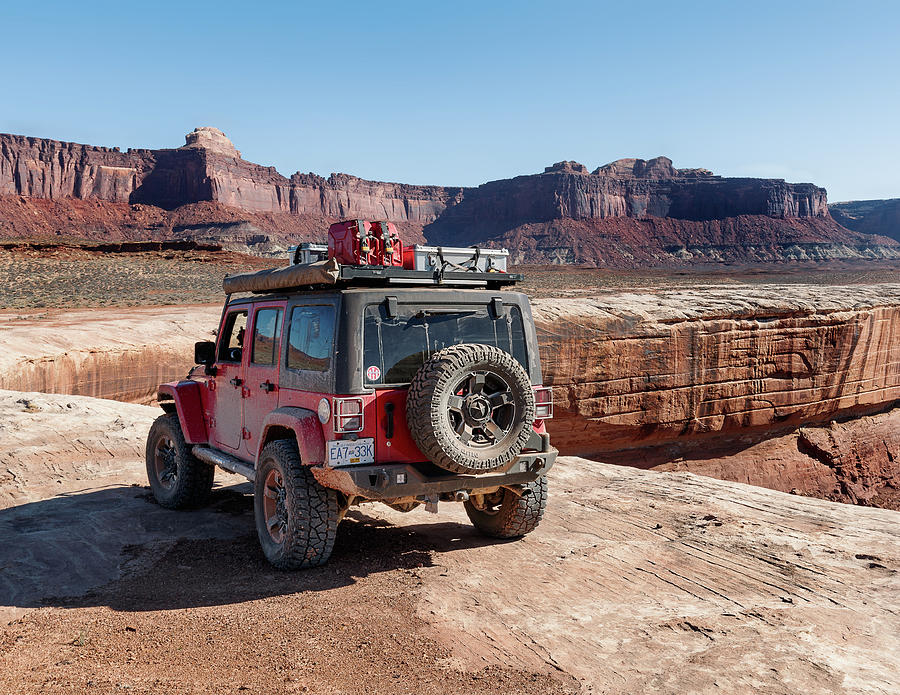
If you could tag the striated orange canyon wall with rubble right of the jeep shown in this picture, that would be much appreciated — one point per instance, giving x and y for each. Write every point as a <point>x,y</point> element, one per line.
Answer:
<point>699,379</point>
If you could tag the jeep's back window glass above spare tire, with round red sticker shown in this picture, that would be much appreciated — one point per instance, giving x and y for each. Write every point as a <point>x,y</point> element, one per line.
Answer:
<point>395,348</point>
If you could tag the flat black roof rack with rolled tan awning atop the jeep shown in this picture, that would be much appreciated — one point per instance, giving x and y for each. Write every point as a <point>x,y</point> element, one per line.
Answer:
<point>330,274</point>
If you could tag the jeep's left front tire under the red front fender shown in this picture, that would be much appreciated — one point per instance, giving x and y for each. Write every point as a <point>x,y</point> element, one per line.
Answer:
<point>177,478</point>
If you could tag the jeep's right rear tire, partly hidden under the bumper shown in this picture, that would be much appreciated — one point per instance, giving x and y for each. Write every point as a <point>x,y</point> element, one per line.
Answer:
<point>506,515</point>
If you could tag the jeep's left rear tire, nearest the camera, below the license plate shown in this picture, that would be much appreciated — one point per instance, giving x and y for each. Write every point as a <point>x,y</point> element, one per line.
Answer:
<point>296,516</point>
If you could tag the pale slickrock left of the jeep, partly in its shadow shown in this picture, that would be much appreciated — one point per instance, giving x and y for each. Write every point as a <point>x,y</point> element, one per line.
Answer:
<point>67,506</point>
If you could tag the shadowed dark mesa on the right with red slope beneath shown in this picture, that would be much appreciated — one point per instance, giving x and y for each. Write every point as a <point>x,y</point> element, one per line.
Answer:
<point>636,213</point>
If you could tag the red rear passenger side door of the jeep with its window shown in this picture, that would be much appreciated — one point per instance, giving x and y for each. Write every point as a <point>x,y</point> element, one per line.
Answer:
<point>261,372</point>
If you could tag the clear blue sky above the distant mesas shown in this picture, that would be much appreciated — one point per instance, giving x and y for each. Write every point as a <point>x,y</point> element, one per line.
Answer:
<point>460,93</point>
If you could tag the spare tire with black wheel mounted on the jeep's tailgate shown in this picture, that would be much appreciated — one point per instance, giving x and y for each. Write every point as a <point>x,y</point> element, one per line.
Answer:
<point>470,408</point>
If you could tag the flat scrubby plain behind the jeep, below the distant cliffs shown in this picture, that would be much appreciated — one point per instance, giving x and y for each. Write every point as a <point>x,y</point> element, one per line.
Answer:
<point>65,276</point>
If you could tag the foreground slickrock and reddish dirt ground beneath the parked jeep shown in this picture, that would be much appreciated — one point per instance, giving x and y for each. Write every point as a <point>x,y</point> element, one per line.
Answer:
<point>635,582</point>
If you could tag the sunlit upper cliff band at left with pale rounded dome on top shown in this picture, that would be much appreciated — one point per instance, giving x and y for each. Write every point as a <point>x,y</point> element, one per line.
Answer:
<point>207,168</point>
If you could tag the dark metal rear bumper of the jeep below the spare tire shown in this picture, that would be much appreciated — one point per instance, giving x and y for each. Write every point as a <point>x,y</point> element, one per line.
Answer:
<point>382,482</point>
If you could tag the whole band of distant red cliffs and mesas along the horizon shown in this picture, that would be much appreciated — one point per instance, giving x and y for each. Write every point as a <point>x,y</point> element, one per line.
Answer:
<point>628,212</point>
